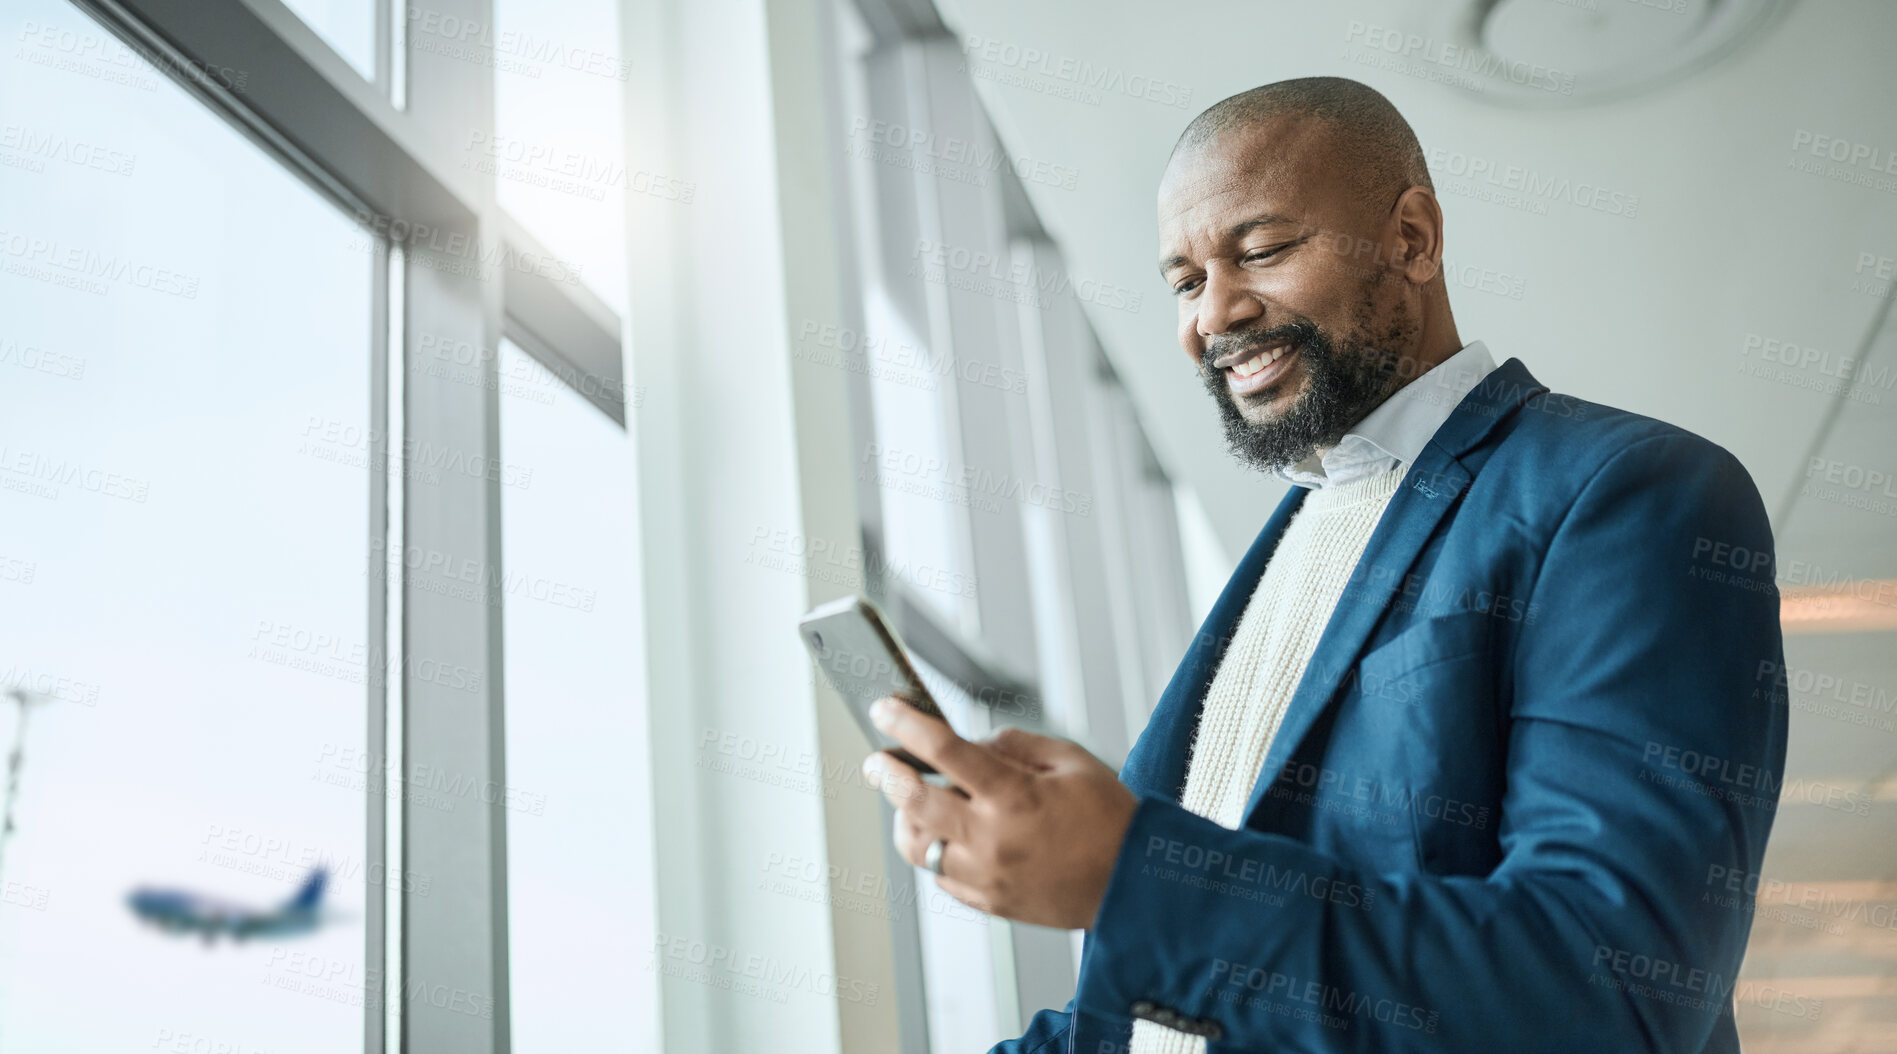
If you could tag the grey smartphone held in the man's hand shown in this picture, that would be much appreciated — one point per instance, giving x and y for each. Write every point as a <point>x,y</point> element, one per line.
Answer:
<point>864,661</point>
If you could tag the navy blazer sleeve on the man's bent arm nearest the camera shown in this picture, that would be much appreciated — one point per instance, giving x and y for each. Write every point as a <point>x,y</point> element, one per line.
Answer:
<point>1646,750</point>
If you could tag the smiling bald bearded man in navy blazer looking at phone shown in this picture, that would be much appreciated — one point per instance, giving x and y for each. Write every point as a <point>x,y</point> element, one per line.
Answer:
<point>1477,719</point>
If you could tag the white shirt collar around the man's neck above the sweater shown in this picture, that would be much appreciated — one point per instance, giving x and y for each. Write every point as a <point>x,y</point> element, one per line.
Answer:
<point>1397,431</point>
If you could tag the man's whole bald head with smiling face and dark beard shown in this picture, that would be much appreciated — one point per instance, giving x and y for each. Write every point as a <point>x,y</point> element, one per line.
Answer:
<point>1302,240</point>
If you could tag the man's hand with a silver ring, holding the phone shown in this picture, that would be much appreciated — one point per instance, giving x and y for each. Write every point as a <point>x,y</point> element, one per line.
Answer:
<point>1033,824</point>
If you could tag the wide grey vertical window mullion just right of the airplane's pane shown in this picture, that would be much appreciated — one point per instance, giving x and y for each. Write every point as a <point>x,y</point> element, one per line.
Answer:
<point>454,954</point>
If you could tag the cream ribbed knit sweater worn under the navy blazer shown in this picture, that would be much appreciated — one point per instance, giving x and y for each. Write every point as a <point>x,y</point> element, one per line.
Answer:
<point>1264,663</point>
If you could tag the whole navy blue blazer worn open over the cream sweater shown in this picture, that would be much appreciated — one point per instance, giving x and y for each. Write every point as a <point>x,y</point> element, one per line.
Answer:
<point>1541,735</point>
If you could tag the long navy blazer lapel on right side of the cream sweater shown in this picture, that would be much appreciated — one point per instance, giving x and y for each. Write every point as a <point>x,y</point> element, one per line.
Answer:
<point>1429,492</point>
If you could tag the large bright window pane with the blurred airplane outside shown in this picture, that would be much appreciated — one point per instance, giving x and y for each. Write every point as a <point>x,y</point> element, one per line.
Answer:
<point>185,433</point>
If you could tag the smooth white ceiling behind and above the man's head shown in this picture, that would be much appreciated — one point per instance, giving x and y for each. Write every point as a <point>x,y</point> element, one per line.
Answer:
<point>1646,312</point>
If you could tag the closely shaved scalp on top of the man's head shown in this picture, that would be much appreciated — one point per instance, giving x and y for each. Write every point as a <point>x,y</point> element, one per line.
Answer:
<point>1357,130</point>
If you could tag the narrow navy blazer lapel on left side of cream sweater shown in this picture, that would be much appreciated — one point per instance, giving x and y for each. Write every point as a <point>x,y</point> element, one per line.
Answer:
<point>1158,759</point>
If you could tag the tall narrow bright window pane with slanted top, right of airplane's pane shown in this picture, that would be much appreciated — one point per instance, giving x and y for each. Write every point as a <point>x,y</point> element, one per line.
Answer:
<point>578,778</point>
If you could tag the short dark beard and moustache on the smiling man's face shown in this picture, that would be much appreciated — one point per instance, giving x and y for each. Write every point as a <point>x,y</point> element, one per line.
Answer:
<point>1346,380</point>
